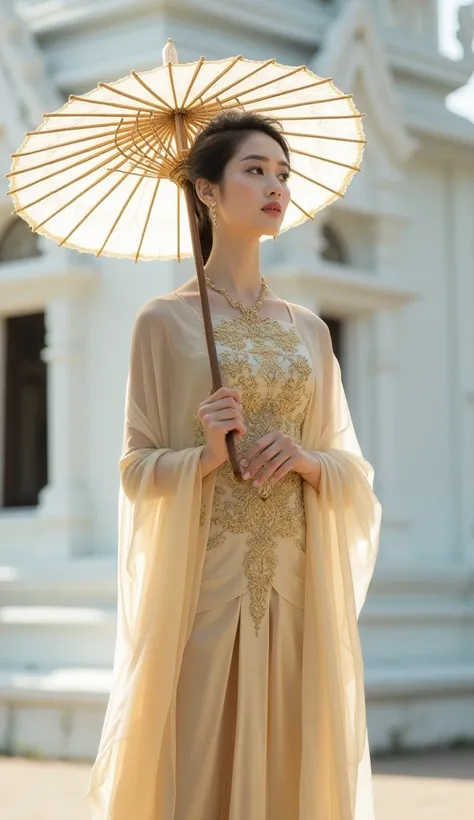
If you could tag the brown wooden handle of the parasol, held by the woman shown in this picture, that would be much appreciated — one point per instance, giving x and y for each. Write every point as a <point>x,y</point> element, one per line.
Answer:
<point>206,312</point>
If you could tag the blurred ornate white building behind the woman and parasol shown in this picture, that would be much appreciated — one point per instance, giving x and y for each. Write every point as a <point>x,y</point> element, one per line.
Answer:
<point>391,270</point>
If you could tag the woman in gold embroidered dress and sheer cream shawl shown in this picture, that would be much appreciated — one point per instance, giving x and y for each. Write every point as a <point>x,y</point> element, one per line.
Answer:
<point>238,683</point>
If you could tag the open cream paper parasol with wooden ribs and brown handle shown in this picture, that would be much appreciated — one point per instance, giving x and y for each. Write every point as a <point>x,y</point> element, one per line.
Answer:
<point>106,174</point>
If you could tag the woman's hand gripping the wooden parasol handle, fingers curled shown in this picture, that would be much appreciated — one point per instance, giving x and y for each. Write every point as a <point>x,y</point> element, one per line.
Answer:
<point>219,414</point>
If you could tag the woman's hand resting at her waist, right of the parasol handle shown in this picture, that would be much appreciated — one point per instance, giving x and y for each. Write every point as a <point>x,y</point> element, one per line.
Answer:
<point>276,454</point>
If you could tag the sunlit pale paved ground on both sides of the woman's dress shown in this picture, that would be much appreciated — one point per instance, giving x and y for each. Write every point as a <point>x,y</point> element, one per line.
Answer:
<point>438,786</point>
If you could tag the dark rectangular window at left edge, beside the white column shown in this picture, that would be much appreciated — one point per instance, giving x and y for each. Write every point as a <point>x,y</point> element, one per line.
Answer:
<point>25,431</point>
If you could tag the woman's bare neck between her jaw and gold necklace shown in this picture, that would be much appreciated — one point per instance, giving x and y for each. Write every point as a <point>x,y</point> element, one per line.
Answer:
<point>235,266</point>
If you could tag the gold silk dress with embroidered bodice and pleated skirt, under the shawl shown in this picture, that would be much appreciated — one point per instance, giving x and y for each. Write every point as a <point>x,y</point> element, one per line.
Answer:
<point>238,706</point>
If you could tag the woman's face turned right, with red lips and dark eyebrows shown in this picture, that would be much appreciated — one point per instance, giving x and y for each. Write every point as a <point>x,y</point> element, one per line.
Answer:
<point>254,178</point>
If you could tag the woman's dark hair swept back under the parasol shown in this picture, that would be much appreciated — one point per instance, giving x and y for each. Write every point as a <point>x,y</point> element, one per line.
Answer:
<point>214,147</point>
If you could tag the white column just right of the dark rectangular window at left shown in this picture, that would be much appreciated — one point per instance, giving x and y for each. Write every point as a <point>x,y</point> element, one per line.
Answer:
<point>65,498</point>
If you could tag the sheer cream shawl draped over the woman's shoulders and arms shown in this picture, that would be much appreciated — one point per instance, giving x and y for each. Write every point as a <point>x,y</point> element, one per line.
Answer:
<point>162,545</point>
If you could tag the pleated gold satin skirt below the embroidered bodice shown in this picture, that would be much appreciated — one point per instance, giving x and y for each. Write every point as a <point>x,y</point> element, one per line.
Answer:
<point>238,714</point>
